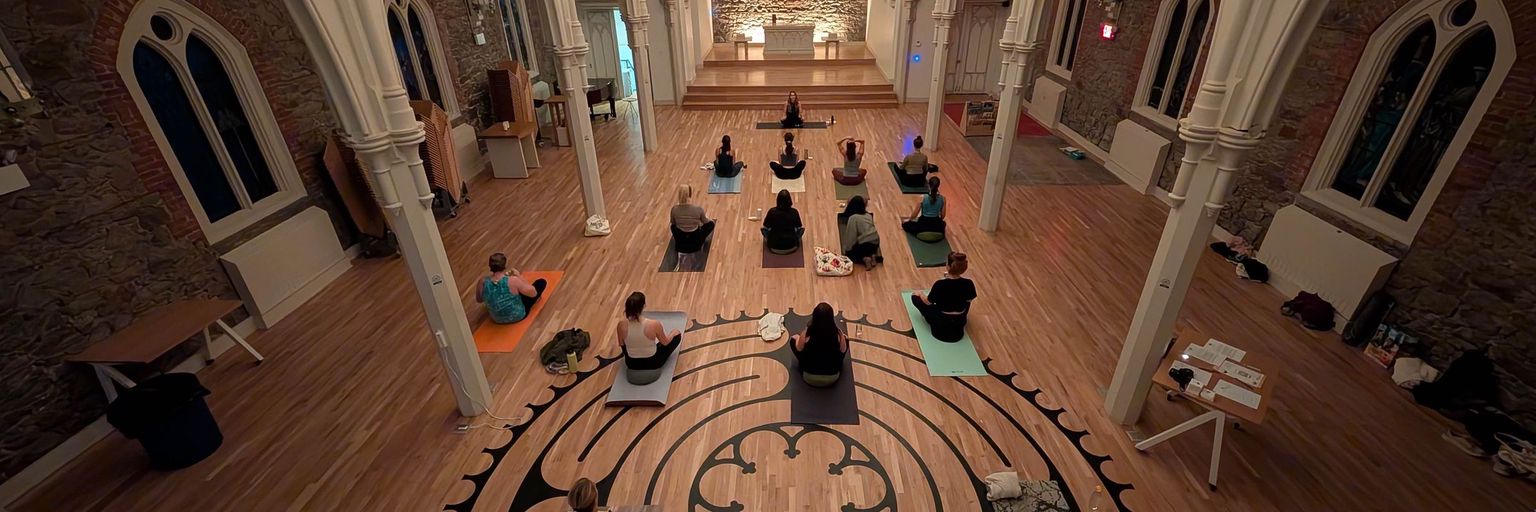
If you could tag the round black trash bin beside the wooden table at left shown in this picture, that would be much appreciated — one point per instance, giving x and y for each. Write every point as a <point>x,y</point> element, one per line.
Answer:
<point>170,417</point>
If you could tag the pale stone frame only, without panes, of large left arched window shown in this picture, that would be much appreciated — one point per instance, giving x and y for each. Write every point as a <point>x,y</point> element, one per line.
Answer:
<point>187,21</point>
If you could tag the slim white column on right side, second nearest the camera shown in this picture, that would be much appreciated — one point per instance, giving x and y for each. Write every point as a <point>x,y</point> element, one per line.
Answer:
<point>1019,44</point>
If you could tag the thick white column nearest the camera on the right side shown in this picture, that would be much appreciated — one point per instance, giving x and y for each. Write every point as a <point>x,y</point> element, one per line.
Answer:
<point>1256,45</point>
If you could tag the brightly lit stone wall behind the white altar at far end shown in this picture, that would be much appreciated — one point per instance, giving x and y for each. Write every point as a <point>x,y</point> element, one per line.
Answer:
<point>847,18</point>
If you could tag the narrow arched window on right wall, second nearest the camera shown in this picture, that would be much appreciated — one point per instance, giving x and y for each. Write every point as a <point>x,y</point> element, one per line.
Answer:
<point>1173,56</point>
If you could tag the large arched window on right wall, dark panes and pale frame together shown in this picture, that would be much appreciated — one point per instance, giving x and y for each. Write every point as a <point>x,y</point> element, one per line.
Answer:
<point>1418,95</point>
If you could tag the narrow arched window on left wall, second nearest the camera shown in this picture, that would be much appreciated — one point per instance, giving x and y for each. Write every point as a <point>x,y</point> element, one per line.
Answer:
<point>414,35</point>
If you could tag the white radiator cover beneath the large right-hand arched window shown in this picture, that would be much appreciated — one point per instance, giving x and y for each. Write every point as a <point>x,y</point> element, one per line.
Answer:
<point>1305,253</point>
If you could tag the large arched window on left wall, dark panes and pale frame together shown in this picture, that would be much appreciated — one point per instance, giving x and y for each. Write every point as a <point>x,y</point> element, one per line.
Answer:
<point>197,91</point>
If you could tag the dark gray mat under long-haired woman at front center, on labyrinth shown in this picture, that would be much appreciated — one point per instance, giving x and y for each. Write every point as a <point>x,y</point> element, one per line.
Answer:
<point>809,405</point>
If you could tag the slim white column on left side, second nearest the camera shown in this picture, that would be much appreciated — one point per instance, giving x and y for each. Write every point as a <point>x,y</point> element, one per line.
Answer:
<point>571,50</point>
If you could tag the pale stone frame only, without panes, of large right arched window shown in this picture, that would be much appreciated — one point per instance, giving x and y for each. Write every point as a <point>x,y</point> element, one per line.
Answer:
<point>1362,90</point>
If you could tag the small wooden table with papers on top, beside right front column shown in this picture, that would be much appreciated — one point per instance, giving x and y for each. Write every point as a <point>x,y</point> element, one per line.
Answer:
<point>1219,408</point>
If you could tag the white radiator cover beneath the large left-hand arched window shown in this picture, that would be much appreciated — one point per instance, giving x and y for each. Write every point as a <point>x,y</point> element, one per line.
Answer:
<point>283,268</point>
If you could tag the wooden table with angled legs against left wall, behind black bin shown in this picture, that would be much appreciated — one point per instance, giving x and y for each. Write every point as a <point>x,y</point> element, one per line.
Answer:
<point>154,334</point>
